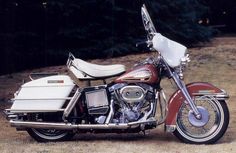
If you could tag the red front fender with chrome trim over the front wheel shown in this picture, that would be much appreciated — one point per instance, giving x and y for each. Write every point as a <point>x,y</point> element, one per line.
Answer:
<point>194,89</point>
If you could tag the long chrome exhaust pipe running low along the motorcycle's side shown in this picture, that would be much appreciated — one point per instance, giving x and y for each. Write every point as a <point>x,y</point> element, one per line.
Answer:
<point>69,126</point>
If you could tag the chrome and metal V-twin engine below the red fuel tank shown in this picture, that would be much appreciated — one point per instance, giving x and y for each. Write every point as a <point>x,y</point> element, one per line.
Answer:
<point>131,101</point>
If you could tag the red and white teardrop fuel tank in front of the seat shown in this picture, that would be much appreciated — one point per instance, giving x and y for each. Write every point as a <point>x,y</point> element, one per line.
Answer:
<point>145,74</point>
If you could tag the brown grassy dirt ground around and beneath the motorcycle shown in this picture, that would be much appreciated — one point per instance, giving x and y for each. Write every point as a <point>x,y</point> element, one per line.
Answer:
<point>214,63</point>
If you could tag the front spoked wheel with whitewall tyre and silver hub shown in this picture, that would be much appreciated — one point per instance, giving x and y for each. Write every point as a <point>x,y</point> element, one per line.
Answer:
<point>210,128</point>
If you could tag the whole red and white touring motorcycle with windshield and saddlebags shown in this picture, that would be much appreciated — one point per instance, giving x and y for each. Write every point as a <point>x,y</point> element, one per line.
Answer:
<point>55,107</point>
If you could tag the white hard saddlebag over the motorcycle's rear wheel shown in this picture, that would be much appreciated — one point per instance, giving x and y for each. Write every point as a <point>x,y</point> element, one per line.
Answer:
<point>44,94</point>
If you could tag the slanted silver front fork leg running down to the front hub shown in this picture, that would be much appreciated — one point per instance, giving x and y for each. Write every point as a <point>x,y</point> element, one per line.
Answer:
<point>181,85</point>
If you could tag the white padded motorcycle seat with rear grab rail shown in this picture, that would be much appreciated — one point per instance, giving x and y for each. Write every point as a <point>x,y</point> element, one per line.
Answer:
<point>93,71</point>
